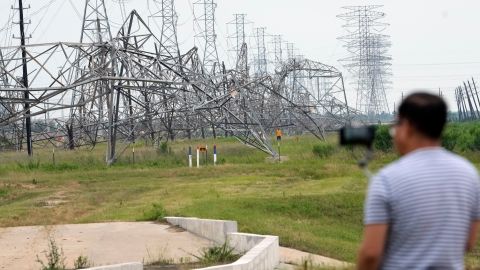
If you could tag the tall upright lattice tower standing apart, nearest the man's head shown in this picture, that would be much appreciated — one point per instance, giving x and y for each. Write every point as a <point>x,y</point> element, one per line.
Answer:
<point>369,62</point>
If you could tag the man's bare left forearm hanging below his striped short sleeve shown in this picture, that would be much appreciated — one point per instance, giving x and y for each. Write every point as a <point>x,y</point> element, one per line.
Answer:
<point>371,251</point>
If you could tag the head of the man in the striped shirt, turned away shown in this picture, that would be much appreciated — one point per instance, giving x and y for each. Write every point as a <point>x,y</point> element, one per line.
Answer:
<point>420,122</point>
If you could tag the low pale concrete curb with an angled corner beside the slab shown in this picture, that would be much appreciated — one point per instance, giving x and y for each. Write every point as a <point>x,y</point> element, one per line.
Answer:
<point>262,252</point>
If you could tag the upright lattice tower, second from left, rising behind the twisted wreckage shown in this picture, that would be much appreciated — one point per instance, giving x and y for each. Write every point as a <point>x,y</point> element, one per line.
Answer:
<point>169,19</point>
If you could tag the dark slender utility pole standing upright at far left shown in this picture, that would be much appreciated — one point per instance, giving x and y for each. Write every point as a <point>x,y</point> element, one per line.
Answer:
<point>28,120</point>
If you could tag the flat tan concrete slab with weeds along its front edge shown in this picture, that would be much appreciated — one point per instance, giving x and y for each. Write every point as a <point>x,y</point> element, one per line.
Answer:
<point>102,243</point>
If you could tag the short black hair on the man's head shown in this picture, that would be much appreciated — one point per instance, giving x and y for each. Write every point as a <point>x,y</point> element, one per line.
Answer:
<point>427,113</point>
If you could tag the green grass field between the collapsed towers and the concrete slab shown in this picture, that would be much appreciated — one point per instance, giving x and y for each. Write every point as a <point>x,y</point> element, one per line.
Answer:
<point>314,204</point>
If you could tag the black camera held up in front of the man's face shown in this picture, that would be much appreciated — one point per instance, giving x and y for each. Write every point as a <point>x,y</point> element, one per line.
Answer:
<point>363,136</point>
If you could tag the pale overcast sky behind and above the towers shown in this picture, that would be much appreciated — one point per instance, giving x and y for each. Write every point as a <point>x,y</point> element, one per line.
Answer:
<point>435,43</point>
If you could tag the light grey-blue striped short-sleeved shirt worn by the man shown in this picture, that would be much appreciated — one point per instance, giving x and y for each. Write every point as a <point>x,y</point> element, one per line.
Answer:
<point>429,198</point>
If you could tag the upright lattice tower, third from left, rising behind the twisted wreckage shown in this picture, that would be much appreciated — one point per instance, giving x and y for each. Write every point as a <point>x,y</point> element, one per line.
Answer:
<point>207,24</point>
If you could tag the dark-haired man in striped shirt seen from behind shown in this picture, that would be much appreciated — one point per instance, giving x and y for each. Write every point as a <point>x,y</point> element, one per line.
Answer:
<point>422,211</point>
